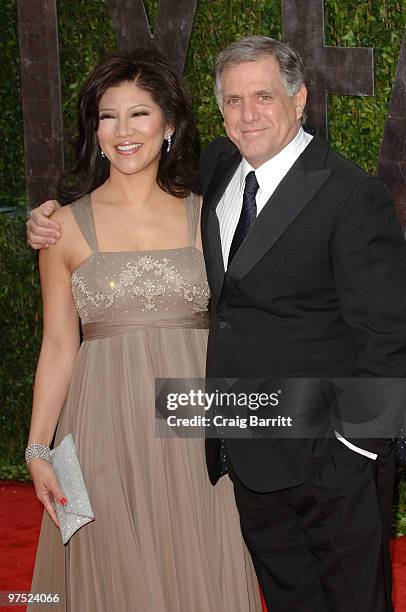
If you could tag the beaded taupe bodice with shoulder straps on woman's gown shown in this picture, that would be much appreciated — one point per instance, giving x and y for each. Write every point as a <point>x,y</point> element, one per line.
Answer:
<point>139,286</point>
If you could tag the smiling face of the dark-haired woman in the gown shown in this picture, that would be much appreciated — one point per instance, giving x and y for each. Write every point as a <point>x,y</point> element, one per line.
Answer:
<point>131,129</point>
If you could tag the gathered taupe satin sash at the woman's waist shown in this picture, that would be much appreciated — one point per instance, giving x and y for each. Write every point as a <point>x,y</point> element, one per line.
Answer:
<point>101,329</point>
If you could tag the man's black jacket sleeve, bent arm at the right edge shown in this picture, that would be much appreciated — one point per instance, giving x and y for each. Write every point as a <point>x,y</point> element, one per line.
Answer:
<point>369,257</point>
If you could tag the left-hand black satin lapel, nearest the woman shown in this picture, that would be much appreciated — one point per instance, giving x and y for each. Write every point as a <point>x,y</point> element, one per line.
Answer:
<point>213,254</point>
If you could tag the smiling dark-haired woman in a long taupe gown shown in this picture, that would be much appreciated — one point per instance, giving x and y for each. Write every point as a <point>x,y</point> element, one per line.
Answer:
<point>163,538</point>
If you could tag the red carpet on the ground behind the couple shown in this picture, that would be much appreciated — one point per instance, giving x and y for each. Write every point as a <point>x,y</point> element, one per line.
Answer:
<point>20,515</point>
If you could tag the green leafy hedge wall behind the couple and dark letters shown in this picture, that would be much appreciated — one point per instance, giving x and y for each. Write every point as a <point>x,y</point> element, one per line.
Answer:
<point>85,35</point>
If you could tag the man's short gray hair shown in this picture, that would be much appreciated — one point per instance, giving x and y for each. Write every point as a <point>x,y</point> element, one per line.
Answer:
<point>253,48</point>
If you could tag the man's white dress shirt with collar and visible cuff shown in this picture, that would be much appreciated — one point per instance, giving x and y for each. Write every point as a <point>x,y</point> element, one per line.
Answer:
<point>268,175</point>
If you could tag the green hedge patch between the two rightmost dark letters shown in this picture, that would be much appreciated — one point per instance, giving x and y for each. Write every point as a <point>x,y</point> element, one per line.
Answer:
<point>356,123</point>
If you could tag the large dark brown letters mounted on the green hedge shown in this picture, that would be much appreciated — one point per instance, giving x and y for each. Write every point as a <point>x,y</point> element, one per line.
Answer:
<point>330,69</point>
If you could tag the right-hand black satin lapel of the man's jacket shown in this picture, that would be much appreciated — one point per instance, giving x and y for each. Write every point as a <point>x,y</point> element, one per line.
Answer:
<point>292,195</point>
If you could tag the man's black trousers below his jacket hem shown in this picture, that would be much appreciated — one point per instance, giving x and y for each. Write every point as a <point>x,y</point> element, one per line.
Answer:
<point>321,546</point>
